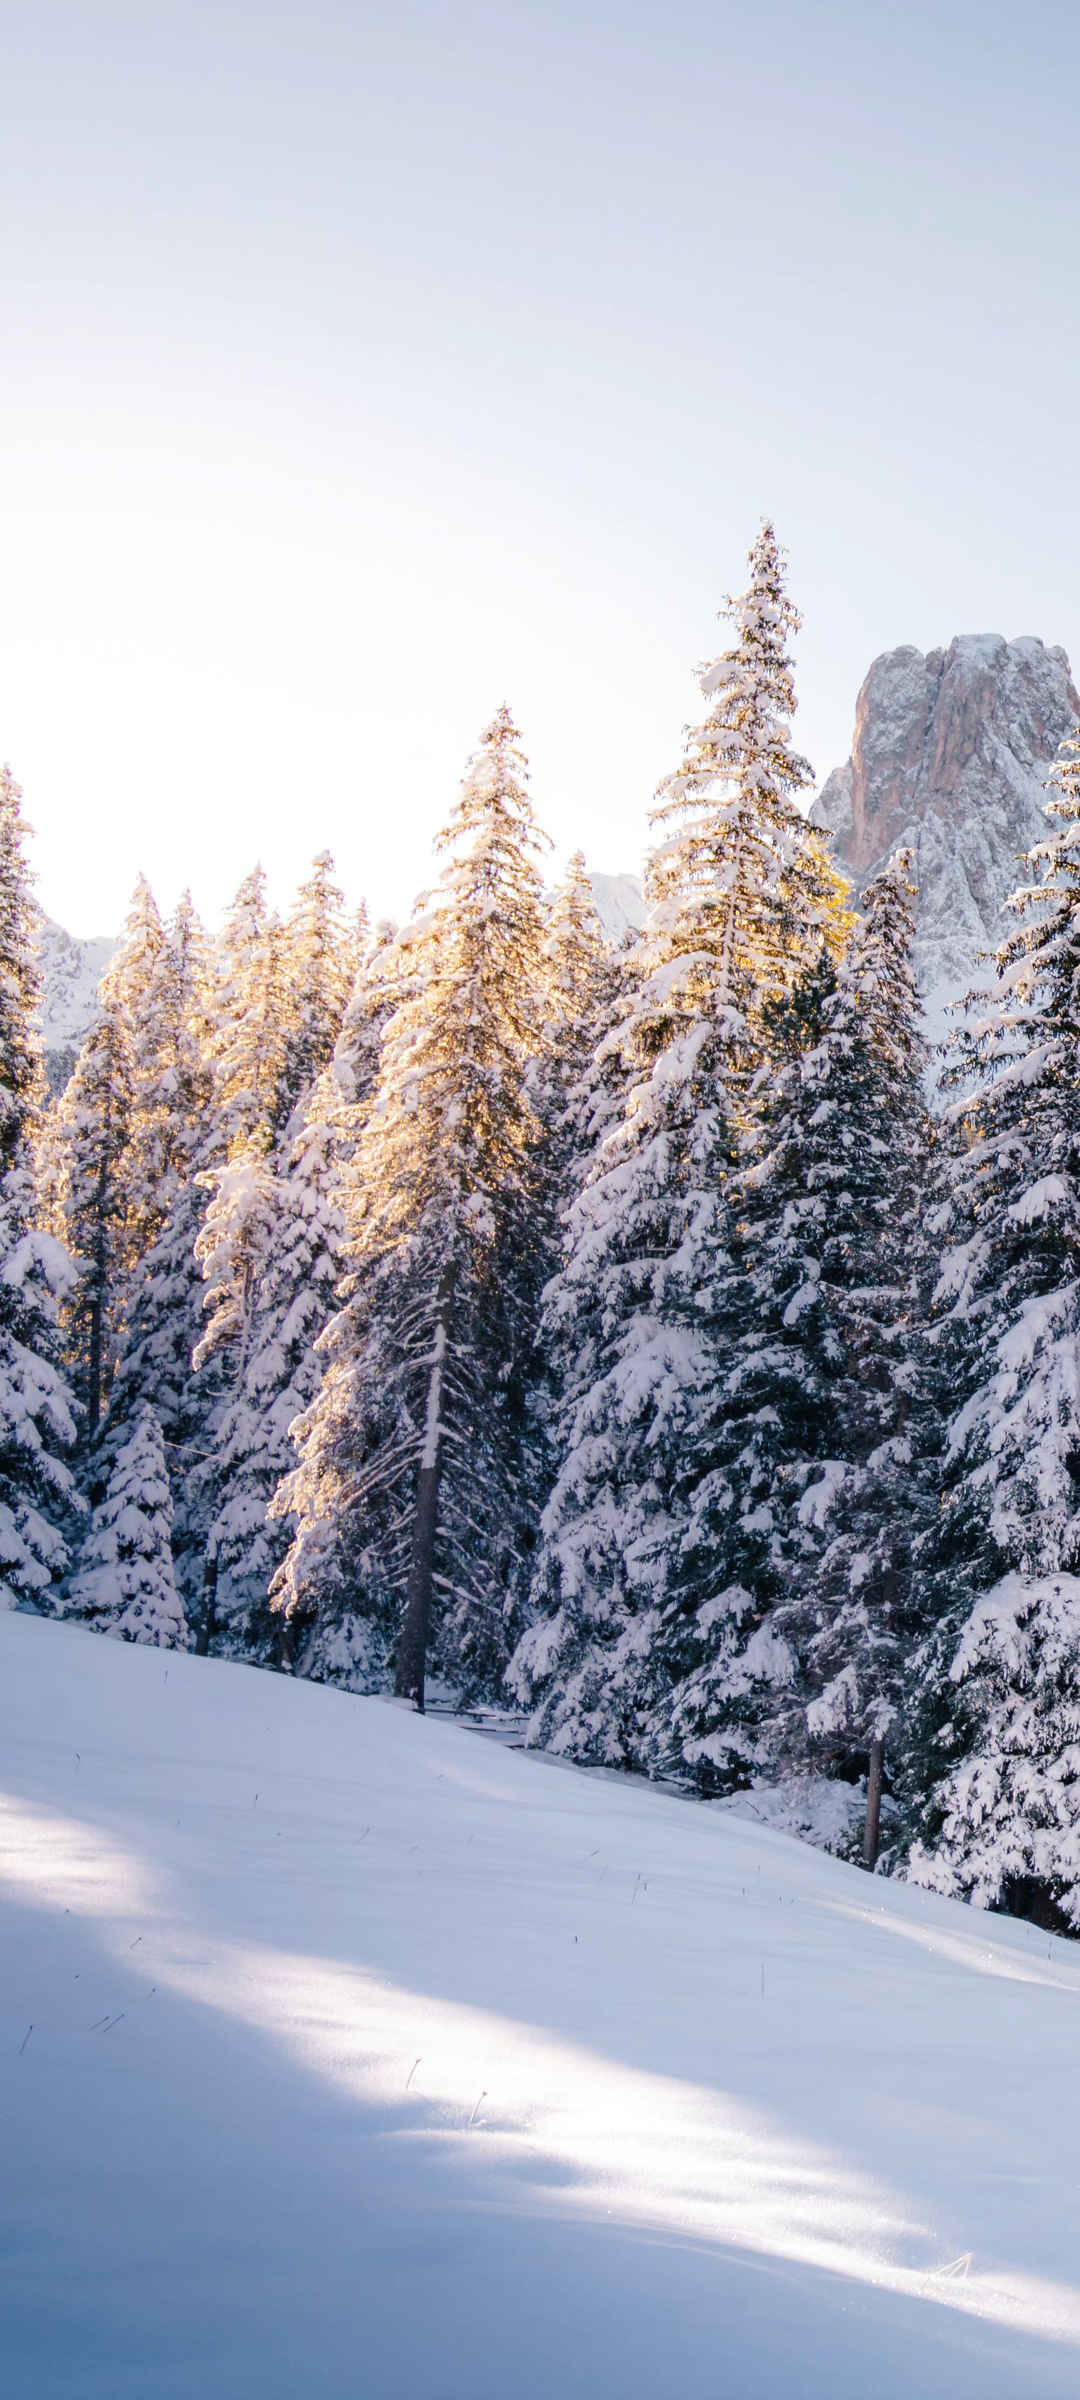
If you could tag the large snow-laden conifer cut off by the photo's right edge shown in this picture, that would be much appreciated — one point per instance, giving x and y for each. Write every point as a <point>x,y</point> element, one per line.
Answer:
<point>995,1765</point>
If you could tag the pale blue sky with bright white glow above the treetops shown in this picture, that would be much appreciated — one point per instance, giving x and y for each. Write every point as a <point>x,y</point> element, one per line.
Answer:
<point>368,368</point>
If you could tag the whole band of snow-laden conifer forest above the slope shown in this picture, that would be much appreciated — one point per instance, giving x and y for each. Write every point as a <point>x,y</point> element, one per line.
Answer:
<point>479,1312</point>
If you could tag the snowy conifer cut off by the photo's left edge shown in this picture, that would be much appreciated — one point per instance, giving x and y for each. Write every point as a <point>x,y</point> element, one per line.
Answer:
<point>37,1410</point>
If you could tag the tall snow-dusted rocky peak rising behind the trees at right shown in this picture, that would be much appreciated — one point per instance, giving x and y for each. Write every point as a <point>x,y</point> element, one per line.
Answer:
<point>949,760</point>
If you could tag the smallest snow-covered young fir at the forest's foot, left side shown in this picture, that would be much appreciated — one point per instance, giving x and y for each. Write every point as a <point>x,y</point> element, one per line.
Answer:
<point>124,1583</point>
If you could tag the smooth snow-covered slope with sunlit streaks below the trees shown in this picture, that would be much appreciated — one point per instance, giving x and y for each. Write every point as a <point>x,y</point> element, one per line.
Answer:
<point>376,2060</point>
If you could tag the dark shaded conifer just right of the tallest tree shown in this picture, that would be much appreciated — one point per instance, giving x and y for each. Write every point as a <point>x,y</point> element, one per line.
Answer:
<point>824,1391</point>
